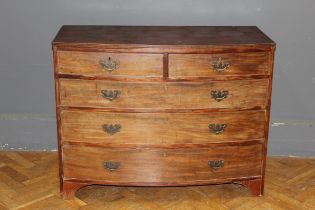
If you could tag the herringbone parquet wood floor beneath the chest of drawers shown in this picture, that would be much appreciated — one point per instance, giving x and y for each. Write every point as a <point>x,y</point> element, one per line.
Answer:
<point>29,180</point>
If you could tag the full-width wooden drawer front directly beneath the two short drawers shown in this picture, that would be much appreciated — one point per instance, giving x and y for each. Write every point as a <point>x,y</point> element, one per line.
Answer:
<point>179,95</point>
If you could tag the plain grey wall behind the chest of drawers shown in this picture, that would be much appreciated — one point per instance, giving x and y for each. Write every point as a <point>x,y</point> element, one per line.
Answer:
<point>26,76</point>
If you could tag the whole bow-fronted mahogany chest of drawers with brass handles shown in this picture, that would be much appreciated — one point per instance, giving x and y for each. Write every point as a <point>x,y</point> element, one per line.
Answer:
<point>162,106</point>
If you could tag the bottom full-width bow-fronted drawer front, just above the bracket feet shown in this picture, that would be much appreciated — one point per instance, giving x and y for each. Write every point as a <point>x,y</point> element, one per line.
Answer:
<point>169,166</point>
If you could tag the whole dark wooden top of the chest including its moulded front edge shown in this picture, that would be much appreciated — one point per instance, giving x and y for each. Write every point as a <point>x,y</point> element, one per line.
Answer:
<point>163,39</point>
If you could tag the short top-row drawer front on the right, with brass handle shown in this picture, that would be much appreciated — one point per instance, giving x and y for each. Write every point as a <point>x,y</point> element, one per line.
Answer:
<point>208,65</point>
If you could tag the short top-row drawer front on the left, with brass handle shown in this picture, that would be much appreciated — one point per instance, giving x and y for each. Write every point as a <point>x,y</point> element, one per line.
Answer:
<point>129,64</point>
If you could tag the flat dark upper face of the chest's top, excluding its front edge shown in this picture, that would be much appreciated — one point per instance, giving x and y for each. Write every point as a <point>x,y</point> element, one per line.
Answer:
<point>162,35</point>
